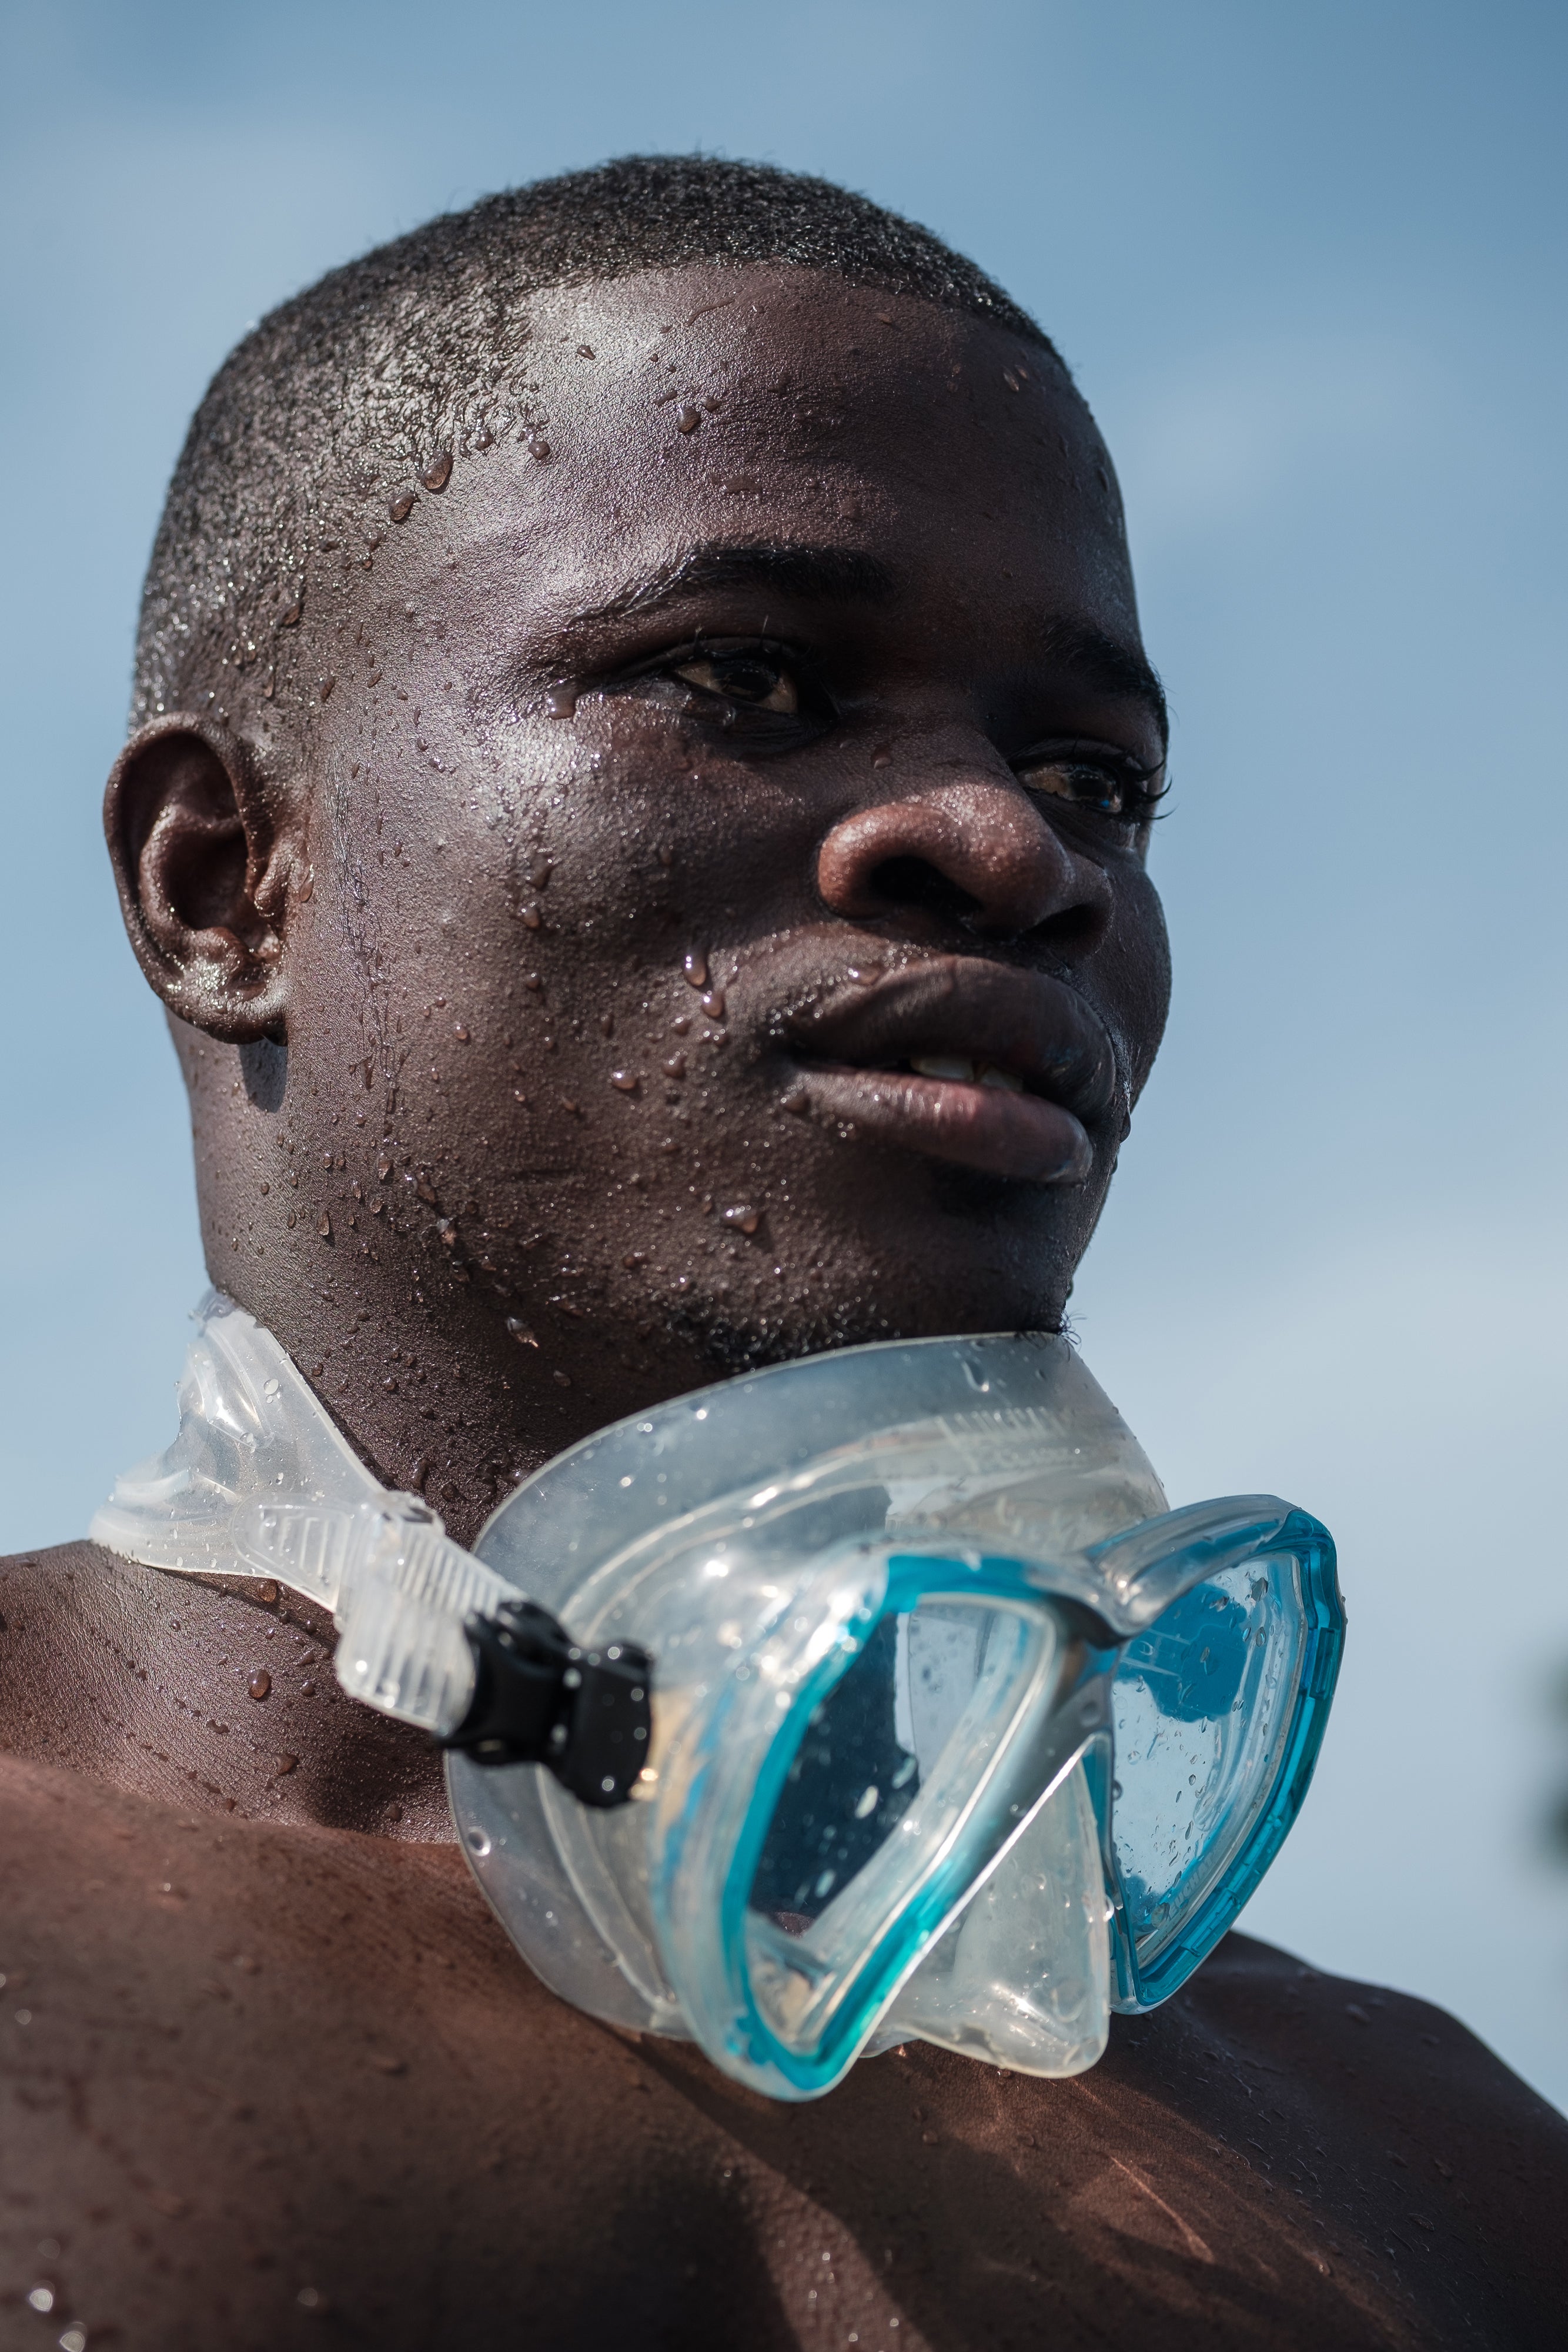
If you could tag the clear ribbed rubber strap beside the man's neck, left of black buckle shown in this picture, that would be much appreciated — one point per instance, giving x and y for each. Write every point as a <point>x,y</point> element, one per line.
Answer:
<point>262,1483</point>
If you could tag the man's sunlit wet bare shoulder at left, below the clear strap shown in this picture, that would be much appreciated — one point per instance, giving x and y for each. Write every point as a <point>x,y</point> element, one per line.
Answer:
<point>257,2073</point>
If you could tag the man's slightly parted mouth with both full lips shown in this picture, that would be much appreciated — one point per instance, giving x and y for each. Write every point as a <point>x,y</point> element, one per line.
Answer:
<point>967,1062</point>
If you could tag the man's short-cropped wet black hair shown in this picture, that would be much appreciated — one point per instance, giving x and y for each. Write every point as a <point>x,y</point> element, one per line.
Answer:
<point>420,354</point>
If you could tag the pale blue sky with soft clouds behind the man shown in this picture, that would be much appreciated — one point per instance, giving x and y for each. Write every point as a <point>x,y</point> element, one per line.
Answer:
<point>1308,262</point>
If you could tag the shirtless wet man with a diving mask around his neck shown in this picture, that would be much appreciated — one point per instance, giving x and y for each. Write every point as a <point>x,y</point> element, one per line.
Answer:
<point>638,815</point>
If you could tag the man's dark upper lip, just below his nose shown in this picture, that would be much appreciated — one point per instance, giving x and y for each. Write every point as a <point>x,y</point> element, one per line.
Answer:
<point>1024,1022</point>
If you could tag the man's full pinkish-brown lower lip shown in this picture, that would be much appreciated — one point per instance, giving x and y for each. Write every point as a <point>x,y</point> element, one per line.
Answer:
<point>977,1128</point>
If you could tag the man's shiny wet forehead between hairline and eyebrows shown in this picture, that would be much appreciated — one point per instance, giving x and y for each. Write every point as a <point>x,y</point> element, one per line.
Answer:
<point>737,406</point>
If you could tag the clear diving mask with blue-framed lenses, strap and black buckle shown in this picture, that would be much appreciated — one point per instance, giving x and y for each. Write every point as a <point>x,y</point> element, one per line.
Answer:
<point>932,1718</point>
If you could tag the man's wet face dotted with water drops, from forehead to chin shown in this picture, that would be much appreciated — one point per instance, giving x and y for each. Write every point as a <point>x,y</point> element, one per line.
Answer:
<point>730,836</point>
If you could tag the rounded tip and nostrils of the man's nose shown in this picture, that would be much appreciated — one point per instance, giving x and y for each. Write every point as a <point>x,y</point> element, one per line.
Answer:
<point>977,855</point>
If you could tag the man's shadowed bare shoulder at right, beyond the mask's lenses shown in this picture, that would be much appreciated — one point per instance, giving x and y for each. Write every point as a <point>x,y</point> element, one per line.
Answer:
<point>1374,2130</point>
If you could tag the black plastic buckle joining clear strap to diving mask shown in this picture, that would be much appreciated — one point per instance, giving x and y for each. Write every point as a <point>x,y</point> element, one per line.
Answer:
<point>540,1699</point>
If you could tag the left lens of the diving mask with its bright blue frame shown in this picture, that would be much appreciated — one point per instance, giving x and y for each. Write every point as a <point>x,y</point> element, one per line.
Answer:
<point>894,1779</point>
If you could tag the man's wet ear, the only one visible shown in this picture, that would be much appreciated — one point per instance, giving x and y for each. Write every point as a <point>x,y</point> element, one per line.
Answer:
<point>203,871</point>
